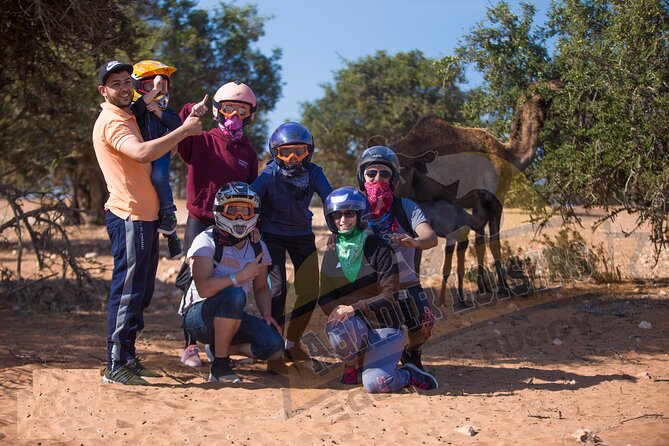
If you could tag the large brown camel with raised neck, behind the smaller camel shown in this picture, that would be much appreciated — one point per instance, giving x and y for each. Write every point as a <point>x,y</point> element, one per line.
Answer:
<point>470,168</point>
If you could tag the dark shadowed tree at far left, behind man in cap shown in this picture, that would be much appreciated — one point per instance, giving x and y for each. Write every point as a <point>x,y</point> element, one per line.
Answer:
<point>47,92</point>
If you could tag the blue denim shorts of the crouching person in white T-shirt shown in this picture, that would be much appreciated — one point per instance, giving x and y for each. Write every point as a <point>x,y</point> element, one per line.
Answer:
<point>229,303</point>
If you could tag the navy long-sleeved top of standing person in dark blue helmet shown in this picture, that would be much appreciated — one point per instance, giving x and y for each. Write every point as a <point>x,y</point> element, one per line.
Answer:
<point>284,210</point>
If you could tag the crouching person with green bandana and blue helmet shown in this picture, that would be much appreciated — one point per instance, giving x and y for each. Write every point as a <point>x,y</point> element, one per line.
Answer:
<point>359,276</point>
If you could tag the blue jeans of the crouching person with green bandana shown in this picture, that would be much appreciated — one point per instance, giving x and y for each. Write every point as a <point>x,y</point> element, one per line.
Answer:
<point>382,349</point>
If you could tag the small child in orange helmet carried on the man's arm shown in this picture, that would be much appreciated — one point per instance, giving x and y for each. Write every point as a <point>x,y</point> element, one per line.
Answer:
<point>151,80</point>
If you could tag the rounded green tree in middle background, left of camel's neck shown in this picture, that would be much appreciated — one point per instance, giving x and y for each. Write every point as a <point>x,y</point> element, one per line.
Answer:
<point>375,100</point>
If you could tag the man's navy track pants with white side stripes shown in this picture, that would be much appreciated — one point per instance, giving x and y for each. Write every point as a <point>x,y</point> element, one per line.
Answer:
<point>134,245</point>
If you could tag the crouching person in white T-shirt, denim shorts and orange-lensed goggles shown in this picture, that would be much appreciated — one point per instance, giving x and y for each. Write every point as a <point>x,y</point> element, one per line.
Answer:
<point>225,266</point>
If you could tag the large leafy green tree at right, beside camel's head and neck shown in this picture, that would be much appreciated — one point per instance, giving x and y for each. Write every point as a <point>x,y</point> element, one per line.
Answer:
<point>606,139</point>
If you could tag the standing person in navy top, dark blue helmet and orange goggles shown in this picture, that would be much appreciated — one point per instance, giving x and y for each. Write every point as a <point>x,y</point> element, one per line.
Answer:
<point>285,188</point>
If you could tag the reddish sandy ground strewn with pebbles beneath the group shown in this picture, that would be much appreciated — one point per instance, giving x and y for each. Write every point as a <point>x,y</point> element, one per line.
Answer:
<point>525,370</point>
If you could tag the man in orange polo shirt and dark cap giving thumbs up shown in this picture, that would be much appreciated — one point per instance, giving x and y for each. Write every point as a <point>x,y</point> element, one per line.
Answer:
<point>131,215</point>
